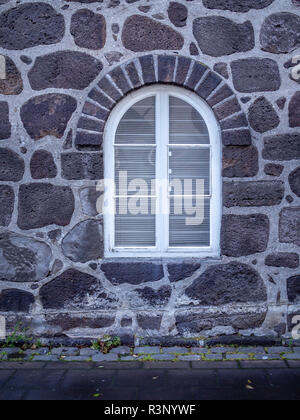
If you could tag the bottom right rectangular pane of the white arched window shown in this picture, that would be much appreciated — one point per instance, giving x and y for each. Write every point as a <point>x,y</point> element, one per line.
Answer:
<point>189,222</point>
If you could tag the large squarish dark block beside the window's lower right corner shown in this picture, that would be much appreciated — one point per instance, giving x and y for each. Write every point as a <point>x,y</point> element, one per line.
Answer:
<point>244,235</point>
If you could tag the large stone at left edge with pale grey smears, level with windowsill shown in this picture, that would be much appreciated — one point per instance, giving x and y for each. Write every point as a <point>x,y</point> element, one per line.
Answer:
<point>23,259</point>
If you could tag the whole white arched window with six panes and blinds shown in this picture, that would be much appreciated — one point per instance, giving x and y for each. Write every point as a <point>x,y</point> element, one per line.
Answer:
<point>162,156</point>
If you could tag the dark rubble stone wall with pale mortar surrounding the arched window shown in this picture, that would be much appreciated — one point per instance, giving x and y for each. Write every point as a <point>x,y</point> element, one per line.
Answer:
<point>68,63</point>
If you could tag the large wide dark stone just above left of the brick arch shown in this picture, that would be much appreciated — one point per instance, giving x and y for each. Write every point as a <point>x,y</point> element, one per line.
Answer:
<point>64,70</point>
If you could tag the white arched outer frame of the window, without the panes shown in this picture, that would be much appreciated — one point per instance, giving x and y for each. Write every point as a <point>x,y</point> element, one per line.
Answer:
<point>111,127</point>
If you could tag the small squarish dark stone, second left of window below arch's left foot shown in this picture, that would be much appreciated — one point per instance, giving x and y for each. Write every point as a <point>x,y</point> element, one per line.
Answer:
<point>42,165</point>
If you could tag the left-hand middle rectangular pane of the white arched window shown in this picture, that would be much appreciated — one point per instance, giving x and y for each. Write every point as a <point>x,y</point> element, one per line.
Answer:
<point>135,167</point>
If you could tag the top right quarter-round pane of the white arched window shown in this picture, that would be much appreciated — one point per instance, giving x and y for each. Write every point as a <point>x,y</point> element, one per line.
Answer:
<point>186,124</point>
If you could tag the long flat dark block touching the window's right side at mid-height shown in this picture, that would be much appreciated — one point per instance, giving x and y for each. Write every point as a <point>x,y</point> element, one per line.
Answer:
<point>256,193</point>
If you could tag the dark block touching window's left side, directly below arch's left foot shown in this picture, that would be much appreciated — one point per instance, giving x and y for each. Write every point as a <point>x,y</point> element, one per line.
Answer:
<point>77,166</point>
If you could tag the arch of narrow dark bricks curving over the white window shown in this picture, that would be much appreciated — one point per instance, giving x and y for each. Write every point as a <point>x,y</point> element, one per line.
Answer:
<point>150,69</point>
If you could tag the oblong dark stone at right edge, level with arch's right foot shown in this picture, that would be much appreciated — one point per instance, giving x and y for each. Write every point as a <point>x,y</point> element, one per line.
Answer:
<point>282,147</point>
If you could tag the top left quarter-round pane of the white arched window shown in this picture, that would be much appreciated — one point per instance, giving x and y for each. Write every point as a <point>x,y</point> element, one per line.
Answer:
<point>138,124</point>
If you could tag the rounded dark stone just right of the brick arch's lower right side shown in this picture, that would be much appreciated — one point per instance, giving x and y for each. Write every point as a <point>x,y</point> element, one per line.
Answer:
<point>262,116</point>
